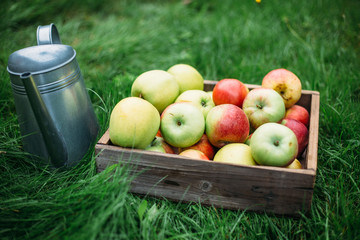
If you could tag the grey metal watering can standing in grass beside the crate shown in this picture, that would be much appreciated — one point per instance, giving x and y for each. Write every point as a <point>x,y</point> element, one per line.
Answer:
<point>55,114</point>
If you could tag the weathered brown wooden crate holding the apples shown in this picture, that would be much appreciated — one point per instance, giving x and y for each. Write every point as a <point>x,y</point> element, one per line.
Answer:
<point>255,188</point>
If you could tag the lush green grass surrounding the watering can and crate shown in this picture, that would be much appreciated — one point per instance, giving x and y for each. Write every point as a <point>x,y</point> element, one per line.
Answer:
<point>118,40</point>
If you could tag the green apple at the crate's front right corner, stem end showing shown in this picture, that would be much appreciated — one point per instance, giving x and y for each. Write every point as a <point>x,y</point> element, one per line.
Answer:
<point>273,144</point>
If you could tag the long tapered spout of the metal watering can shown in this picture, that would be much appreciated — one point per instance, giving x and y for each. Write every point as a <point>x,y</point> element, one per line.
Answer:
<point>53,138</point>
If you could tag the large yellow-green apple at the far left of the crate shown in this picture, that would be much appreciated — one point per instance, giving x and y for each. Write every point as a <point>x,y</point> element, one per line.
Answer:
<point>134,122</point>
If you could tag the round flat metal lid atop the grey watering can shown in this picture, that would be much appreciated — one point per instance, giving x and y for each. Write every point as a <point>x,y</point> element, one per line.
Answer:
<point>40,59</point>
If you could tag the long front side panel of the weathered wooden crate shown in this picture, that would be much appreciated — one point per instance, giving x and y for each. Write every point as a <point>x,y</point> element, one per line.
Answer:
<point>221,185</point>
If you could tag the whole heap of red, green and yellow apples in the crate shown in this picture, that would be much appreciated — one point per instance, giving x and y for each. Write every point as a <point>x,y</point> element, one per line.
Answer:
<point>170,112</point>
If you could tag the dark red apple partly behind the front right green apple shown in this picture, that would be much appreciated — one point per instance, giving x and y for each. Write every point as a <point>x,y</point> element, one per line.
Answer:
<point>301,132</point>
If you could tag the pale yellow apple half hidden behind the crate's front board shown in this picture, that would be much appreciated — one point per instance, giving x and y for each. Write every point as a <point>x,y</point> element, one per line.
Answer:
<point>235,153</point>
